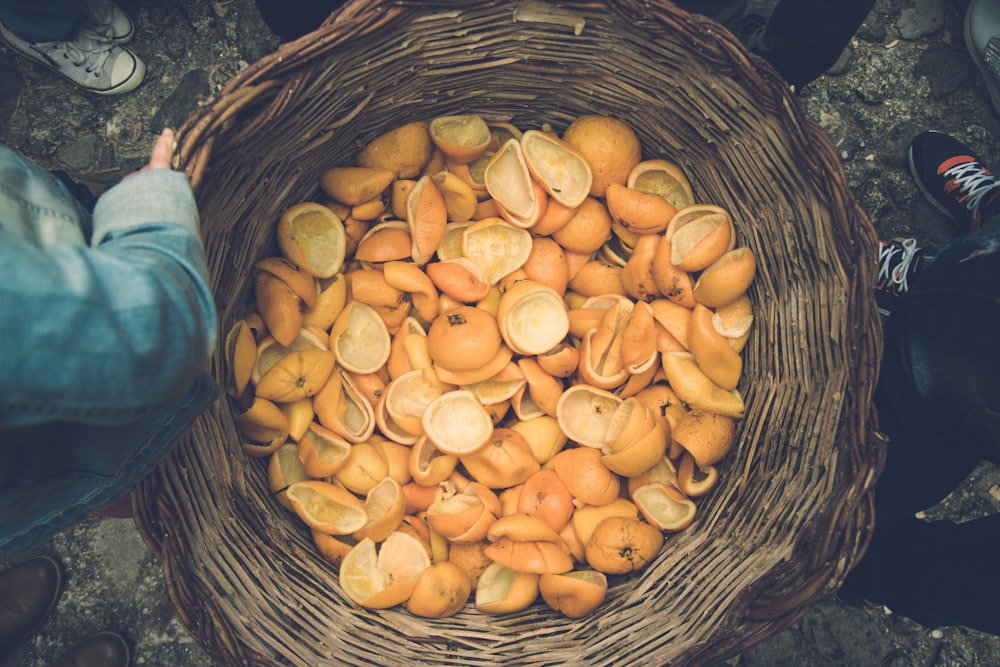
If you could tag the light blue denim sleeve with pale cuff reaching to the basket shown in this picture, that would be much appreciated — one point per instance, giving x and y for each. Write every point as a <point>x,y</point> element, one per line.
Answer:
<point>113,332</point>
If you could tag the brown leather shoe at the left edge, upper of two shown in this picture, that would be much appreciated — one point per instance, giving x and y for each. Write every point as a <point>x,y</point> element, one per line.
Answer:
<point>28,592</point>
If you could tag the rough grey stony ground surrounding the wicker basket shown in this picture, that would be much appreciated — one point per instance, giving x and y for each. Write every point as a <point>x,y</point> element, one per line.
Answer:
<point>907,70</point>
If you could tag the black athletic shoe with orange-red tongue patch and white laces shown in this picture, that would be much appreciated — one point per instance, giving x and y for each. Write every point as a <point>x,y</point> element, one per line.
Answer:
<point>952,178</point>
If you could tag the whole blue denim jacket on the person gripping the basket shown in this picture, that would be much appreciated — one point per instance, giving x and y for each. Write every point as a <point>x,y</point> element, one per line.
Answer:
<point>103,342</point>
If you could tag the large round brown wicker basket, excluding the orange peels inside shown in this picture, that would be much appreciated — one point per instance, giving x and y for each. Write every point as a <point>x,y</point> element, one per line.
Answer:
<point>793,509</point>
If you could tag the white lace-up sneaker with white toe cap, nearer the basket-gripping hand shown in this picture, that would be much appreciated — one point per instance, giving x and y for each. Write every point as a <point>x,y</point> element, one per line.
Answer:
<point>91,61</point>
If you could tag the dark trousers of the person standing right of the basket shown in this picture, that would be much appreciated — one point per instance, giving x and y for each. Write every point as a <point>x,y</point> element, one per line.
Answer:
<point>939,402</point>
